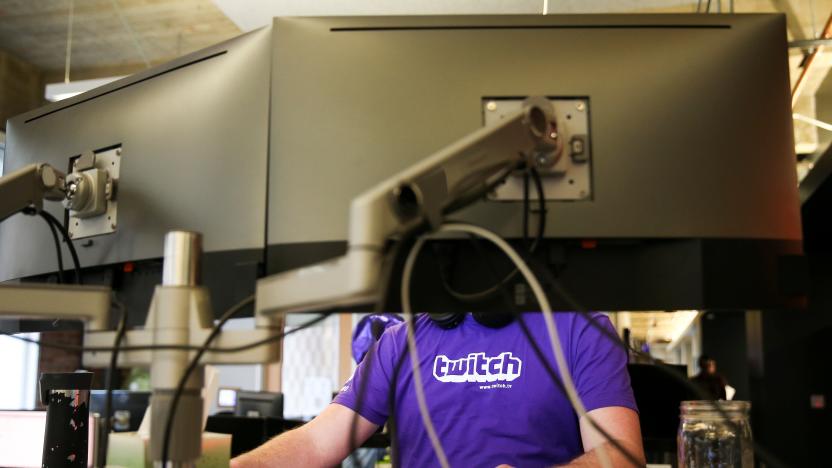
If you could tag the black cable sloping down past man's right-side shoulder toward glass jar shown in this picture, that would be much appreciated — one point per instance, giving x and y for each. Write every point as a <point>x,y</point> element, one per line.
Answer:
<point>764,454</point>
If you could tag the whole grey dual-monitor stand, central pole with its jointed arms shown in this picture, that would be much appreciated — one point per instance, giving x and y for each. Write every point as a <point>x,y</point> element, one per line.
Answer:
<point>180,311</point>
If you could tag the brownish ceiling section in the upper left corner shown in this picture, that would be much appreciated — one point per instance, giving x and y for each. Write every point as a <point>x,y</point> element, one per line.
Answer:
<point>109,34</point>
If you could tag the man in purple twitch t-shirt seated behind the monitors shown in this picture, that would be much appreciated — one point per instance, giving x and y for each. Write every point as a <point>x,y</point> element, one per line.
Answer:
<point>490,399</point>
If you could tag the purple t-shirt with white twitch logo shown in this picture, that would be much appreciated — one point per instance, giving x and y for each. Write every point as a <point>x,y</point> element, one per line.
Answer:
<point>490,398</point>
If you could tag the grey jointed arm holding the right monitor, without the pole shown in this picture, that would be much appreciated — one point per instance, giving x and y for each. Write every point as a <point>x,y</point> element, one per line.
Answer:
<point>422,194</point>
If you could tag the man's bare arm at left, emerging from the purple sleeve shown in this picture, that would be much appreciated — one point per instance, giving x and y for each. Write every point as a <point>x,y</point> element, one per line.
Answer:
<point>324,441</point>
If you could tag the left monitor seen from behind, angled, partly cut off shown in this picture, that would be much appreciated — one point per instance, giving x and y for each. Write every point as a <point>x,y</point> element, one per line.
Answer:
<point>192,137</point>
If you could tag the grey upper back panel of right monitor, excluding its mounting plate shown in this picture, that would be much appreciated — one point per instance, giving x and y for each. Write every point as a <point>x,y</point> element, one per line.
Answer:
<point>689,114</point>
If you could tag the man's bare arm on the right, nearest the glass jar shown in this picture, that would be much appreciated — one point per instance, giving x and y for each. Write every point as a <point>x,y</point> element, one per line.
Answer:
<point>620,423</point>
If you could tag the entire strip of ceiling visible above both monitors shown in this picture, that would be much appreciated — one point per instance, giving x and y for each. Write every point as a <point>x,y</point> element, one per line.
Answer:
<point>121,36</point>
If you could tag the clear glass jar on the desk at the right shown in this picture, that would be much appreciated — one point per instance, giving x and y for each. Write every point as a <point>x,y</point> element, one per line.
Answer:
<point>706,438</point>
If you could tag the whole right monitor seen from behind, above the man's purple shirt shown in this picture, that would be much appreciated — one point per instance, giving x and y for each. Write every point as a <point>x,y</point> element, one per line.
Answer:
<point>690,197</point>
